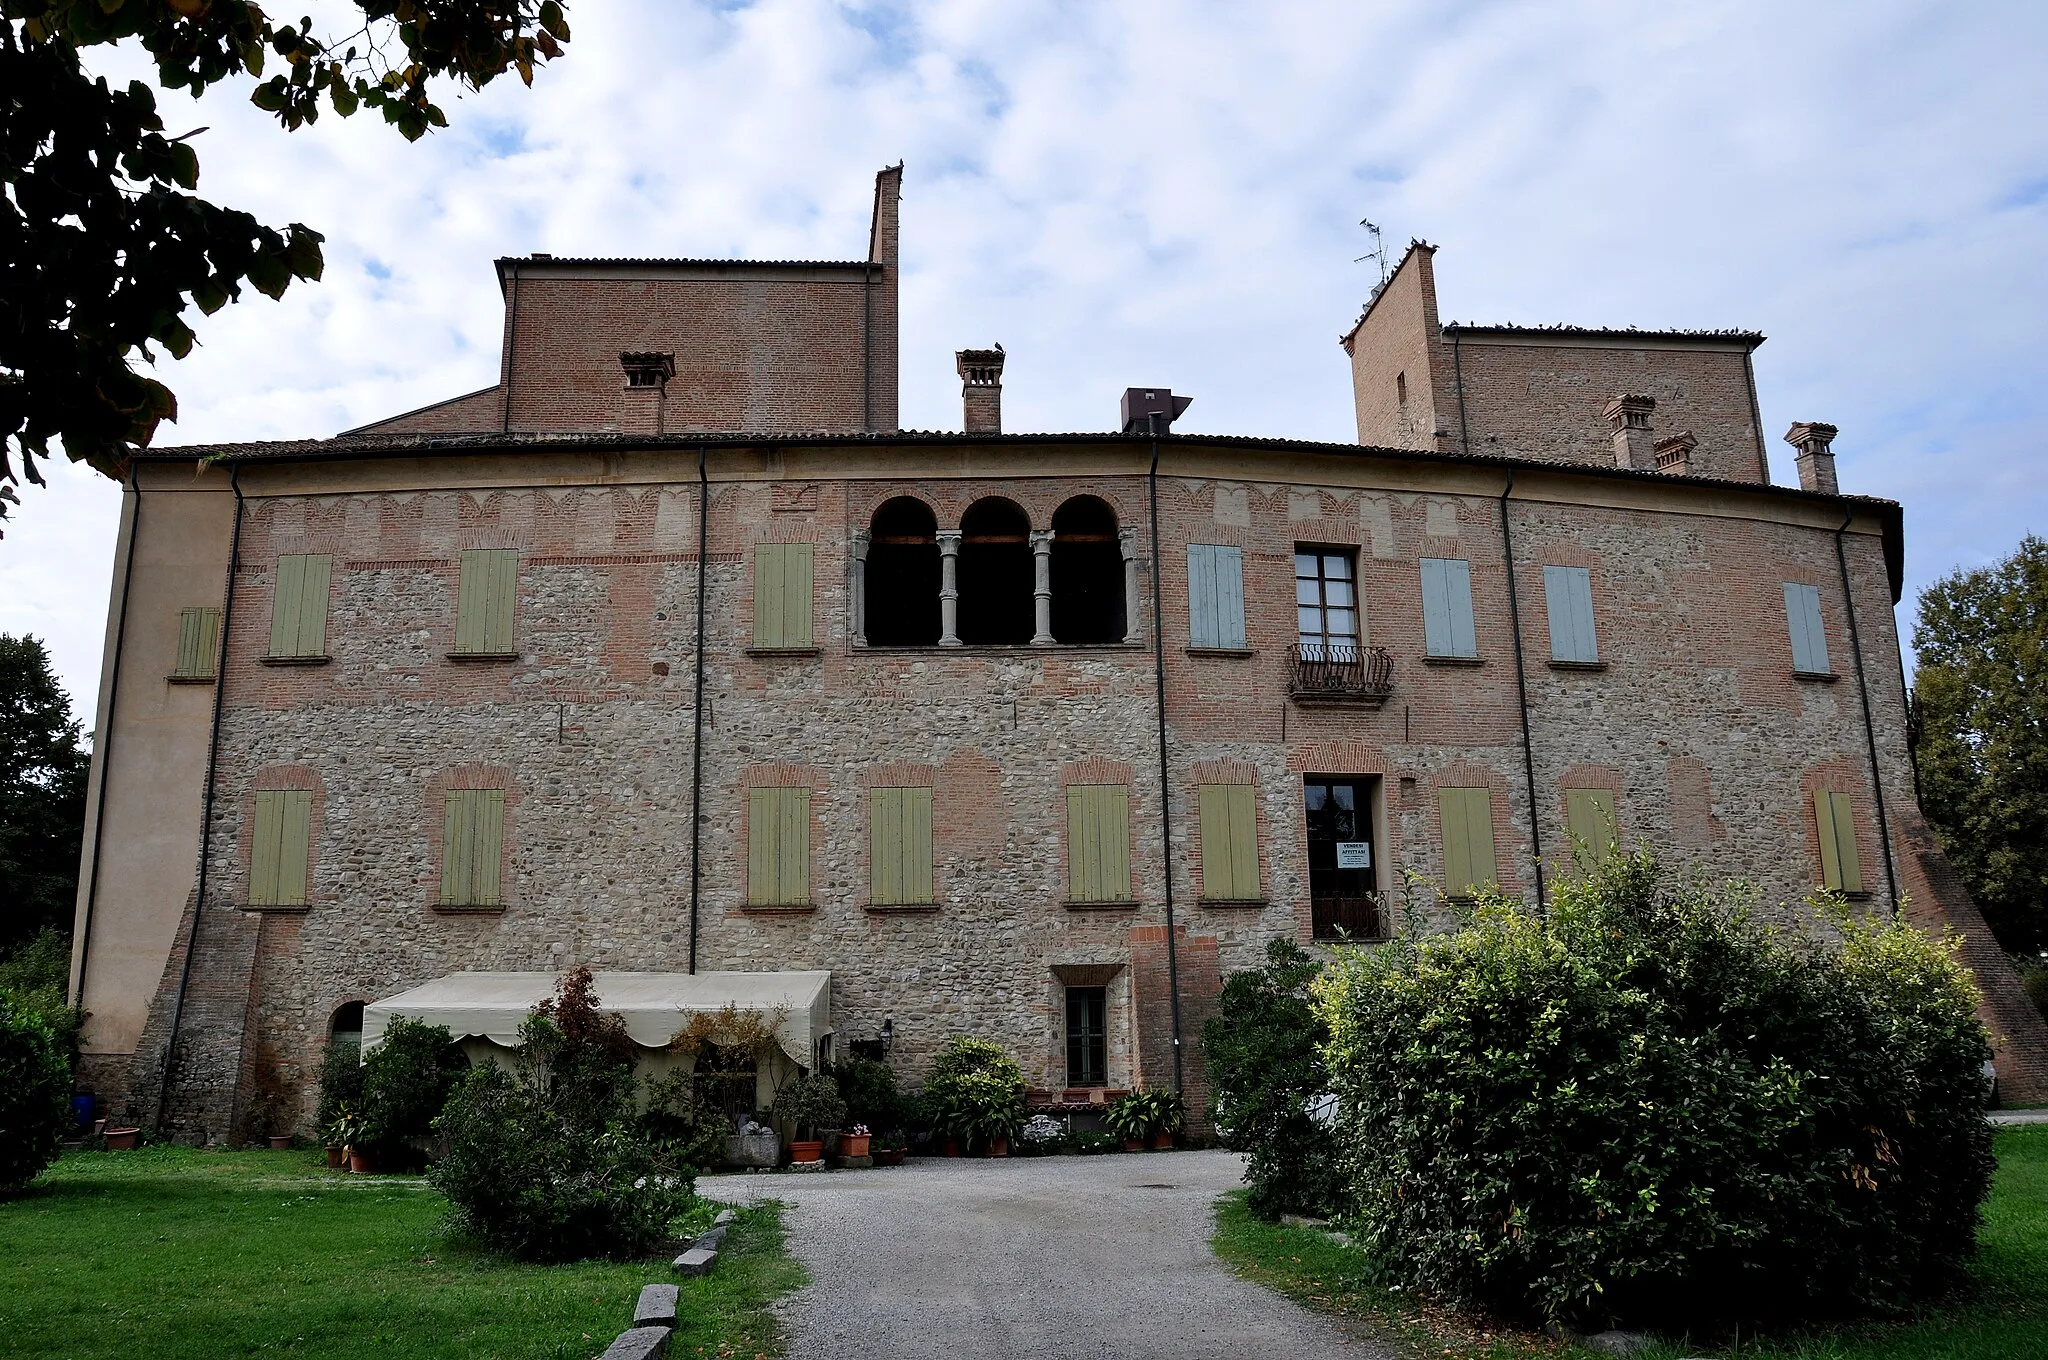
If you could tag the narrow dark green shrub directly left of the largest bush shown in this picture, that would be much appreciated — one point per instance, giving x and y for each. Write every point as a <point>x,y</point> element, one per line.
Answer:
<point>1265,1054</point>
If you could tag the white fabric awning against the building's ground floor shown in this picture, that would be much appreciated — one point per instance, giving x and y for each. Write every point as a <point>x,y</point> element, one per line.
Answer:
<point>652,1005</point>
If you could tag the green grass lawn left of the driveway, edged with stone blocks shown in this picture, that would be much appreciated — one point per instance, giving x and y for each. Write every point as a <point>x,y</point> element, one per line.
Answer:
<point>185,1255</point>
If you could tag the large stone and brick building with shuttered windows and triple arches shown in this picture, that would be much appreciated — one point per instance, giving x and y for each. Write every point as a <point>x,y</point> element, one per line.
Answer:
<point>1021,736</point>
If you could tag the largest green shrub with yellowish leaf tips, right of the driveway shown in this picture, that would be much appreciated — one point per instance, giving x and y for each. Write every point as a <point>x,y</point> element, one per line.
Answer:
<point>1650,1109</point>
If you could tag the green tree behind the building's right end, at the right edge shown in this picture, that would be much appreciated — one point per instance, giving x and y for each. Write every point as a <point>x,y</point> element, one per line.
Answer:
<point>1983,734</point>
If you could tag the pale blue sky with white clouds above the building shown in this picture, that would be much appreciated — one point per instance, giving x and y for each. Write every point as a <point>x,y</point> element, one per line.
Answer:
<point>1170,194</point>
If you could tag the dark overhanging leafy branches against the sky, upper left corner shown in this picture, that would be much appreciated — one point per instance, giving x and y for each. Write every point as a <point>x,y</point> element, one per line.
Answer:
<point>101,228</point>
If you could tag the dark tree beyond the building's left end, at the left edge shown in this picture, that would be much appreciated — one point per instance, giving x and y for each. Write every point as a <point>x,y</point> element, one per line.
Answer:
<point>42,796</point>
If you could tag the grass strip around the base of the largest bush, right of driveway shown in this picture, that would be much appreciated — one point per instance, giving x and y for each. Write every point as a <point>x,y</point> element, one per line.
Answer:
<point>2000,1316</point>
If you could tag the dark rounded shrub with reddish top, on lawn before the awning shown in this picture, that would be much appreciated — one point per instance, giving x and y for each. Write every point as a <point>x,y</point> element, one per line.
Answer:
<point>550,1162</point>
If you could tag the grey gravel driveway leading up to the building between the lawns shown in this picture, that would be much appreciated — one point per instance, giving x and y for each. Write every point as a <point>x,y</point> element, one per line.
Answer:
<point>1033,1257</point>
